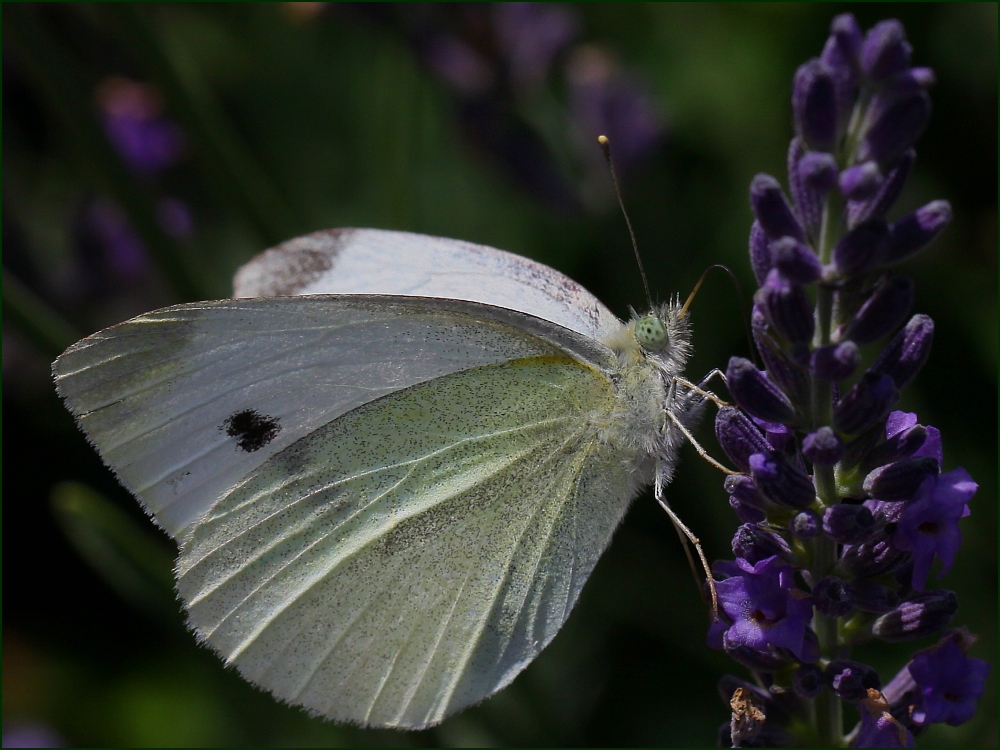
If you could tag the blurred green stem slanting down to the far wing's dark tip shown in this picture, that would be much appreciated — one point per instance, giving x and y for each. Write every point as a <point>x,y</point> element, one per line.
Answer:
<point>222,149</point>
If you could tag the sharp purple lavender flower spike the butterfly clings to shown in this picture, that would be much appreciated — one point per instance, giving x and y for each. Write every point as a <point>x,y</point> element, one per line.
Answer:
<point>837,492</point>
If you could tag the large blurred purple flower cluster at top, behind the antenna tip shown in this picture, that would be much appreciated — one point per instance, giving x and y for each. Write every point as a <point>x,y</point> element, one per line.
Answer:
<point>497,61</point>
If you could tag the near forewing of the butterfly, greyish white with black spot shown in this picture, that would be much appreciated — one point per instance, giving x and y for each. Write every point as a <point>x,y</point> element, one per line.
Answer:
<point>184,402</point>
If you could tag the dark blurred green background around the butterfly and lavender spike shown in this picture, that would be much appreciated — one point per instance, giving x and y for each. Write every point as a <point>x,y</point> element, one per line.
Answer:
<point>150,150</point>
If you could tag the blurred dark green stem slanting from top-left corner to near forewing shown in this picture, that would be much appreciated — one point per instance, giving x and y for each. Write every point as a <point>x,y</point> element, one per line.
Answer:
<point>55,74</point>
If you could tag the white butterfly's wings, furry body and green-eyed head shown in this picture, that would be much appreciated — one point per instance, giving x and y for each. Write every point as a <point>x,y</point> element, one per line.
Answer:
<point>390,462</point>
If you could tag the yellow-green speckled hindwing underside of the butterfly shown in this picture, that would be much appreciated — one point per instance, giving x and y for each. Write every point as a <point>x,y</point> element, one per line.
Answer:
<point>412,556</point>
